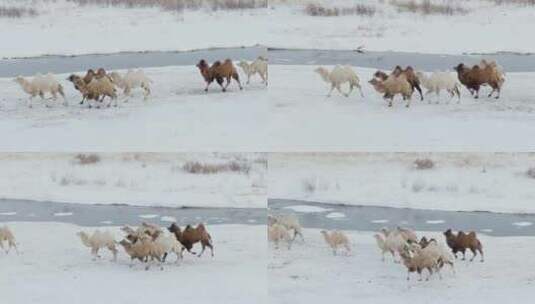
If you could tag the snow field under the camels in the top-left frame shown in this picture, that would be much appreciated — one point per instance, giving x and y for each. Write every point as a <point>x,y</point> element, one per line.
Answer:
<point>179,116</point>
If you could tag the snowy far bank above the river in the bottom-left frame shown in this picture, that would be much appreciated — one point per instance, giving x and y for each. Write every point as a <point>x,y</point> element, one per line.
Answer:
<point>151,179</point>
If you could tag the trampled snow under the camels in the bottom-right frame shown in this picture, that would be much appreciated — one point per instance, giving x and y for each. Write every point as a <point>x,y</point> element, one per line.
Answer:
<point>309,273</point>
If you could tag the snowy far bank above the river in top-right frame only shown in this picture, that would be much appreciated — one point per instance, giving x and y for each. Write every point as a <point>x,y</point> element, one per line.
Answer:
<point>486,28</point>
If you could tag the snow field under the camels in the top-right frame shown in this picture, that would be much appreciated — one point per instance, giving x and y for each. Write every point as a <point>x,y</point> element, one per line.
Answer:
<point>302,118</point>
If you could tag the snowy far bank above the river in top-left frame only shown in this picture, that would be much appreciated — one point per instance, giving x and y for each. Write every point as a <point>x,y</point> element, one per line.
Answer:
<point>64,28</point>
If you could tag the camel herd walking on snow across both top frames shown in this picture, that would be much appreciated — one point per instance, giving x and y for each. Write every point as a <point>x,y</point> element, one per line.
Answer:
<point>97,85</point>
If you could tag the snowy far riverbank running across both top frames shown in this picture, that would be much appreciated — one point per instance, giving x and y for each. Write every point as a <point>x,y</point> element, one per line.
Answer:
<point>57,29</point>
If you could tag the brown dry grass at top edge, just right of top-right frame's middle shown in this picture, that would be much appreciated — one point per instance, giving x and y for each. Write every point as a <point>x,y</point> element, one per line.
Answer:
<point>427,7</point>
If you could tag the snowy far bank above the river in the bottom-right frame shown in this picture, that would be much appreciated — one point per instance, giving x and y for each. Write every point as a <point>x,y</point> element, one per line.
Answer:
<point>459,181</point>
